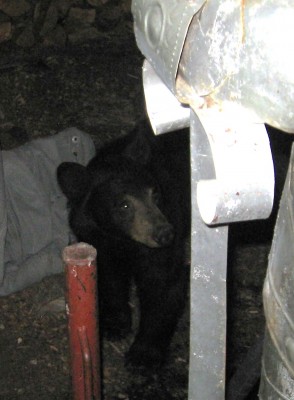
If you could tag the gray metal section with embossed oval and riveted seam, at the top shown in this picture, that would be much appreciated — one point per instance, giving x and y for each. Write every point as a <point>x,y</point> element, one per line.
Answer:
<point>160,27</point>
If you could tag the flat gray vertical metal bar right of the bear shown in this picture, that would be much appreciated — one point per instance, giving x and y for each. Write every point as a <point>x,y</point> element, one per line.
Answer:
<point>208,284</point>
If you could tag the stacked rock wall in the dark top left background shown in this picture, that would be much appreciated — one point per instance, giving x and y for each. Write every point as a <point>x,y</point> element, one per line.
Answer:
<point>58,22</point>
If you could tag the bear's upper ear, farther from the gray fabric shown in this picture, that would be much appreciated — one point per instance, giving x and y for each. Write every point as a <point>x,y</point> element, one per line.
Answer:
<point>140,143</point>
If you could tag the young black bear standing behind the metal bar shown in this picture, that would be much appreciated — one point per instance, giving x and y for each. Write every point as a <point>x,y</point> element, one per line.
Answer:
<point>131,202</point>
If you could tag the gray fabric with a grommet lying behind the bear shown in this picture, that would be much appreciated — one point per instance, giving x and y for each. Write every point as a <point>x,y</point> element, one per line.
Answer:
<point>36,210</point>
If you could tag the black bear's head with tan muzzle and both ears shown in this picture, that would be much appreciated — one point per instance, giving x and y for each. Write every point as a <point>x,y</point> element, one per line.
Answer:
<point>116,196</point>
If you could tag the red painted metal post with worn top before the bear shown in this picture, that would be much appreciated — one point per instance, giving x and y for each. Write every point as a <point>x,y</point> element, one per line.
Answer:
<point>82,305</point>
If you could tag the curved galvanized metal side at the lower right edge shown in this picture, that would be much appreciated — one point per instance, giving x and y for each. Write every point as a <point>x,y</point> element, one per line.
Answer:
<point>277,382</point>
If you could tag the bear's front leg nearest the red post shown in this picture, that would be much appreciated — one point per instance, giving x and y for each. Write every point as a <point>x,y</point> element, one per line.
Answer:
<point>114,309</point>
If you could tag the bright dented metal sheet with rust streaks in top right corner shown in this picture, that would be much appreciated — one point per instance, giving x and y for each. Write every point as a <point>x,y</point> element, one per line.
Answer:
<point>238,51</point>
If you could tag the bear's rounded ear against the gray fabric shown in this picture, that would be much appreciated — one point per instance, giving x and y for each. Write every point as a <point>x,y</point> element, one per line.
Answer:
<point>74,180</point>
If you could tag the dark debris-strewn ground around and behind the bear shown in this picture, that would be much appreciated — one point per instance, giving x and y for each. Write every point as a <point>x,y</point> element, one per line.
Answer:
<point>96,86</point>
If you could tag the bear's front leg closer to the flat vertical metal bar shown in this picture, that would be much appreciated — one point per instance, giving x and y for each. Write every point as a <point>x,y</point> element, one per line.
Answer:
<point>161,303</point>
